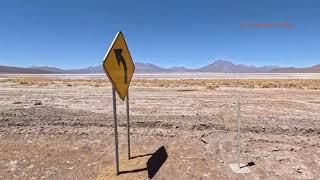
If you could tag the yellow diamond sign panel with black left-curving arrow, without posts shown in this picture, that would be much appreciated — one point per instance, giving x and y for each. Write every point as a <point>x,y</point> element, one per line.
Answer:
<point>118,65</point>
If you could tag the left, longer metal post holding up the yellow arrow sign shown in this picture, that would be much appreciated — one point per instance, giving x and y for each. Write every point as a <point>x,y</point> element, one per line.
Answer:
<point>115,129</point>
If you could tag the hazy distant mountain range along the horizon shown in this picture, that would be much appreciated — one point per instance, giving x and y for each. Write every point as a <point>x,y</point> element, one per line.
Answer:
<point>219,66</point>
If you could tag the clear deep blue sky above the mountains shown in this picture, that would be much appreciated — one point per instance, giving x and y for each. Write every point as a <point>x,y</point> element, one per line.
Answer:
<point>74,34</point>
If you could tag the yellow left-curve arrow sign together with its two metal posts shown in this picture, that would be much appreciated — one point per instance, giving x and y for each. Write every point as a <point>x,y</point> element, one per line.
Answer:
<point>119,68</point>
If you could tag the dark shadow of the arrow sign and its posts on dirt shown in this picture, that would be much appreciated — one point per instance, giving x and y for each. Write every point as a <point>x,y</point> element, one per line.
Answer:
<point>154,163</point>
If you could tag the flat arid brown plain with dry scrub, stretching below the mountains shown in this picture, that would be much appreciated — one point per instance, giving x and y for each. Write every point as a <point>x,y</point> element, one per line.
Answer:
<point>61,126</point>
